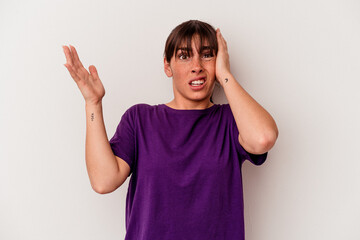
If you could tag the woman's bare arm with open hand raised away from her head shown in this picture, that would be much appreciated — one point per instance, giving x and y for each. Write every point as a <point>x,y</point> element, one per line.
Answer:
<point>106,171</point>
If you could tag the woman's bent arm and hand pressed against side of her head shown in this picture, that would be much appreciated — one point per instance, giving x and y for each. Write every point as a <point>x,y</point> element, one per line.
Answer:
<point>257,129</point>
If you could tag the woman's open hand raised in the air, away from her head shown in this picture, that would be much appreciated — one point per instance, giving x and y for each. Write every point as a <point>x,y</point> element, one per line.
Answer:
<point>89,84</point>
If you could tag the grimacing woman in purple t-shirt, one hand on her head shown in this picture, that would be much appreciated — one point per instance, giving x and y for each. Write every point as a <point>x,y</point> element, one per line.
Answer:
<point>185,156</point>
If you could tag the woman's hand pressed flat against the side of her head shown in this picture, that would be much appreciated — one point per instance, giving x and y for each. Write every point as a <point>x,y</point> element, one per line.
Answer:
<point>222,59</point>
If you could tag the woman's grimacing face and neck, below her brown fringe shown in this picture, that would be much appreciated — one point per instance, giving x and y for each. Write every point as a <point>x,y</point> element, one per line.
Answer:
<point>193,74</point>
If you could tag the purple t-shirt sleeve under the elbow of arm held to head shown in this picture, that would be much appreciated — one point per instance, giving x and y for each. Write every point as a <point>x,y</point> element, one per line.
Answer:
<point>256,159</point>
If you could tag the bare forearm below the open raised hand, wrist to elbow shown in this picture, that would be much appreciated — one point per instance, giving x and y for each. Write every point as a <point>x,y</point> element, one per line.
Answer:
<point>101,163</point>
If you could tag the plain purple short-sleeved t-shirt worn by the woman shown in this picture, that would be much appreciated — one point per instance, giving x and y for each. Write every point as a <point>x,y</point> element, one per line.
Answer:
<point>185,173</point>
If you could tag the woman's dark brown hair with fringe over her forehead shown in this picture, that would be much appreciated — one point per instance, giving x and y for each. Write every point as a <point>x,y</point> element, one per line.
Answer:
<point>184,33</point>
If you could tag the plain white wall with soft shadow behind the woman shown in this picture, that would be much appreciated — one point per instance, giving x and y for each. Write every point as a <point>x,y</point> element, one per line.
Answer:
<point>299,59</point>
